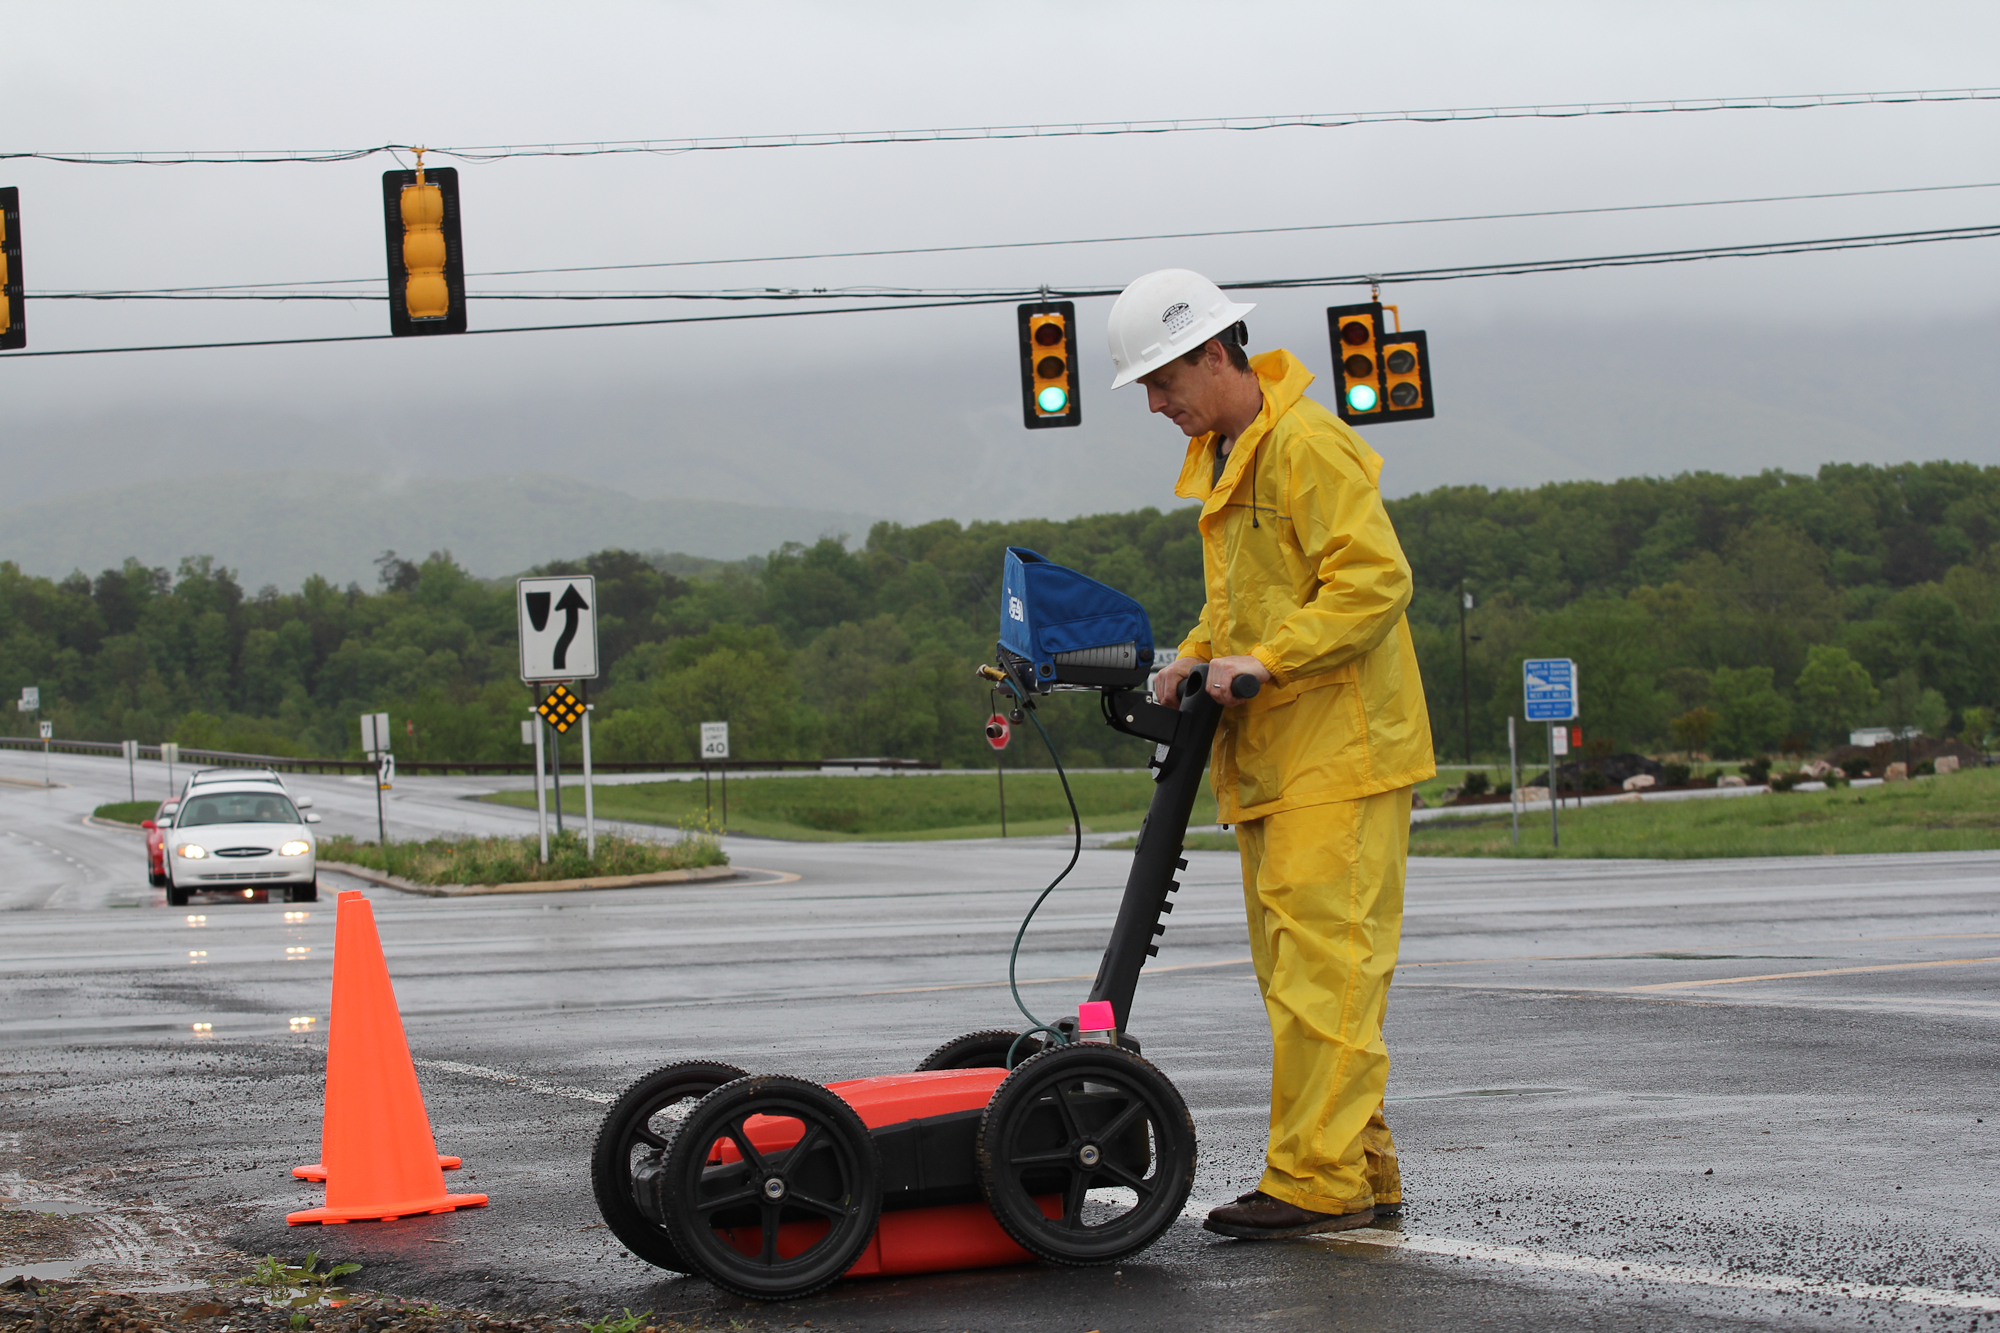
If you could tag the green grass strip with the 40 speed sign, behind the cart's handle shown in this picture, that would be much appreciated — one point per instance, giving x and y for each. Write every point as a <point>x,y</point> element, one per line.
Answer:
<point>829,810</point>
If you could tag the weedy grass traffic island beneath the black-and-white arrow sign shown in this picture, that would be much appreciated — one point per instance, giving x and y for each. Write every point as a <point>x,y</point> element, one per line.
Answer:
<point>517,862</point>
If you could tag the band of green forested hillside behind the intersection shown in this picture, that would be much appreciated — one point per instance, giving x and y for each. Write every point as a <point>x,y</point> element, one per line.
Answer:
<point>1731,613</point>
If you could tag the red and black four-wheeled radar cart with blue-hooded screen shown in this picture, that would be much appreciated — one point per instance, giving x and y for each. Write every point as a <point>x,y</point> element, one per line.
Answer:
<point>1001,1146</point>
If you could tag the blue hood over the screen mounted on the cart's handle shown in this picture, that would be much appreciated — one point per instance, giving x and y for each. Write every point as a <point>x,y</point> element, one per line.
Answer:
<point>1059,627</point>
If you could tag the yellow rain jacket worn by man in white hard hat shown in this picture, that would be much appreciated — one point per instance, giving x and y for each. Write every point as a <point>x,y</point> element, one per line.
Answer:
<point>1307,575</point>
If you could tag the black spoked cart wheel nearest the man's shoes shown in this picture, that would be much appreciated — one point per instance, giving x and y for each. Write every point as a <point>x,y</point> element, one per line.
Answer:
<point>1103,1132</point>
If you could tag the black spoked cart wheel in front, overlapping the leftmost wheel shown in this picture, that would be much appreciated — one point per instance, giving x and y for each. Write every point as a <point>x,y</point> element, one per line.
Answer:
<point>825,1190</point>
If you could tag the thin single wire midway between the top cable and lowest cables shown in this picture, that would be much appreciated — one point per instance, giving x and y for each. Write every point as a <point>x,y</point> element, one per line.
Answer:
<point>225,289</point>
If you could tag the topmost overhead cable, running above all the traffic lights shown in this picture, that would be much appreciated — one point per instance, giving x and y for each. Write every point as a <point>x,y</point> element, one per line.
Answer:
<point>1093,129</point>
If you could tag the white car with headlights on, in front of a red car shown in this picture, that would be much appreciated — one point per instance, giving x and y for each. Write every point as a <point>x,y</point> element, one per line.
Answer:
<point>239,838</point>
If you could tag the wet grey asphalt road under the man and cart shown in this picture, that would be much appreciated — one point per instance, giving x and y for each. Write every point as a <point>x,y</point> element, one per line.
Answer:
<point>1629,1096</point>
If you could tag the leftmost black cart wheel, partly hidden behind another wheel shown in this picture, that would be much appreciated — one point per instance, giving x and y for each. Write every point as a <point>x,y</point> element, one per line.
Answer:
<point>633,1140</point>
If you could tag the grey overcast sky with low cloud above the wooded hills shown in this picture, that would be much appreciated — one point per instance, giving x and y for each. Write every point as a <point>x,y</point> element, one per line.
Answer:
<point>1733,365</point>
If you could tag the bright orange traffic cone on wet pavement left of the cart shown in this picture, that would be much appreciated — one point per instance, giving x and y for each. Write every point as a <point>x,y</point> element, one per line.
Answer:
<point>375,1144</point>
